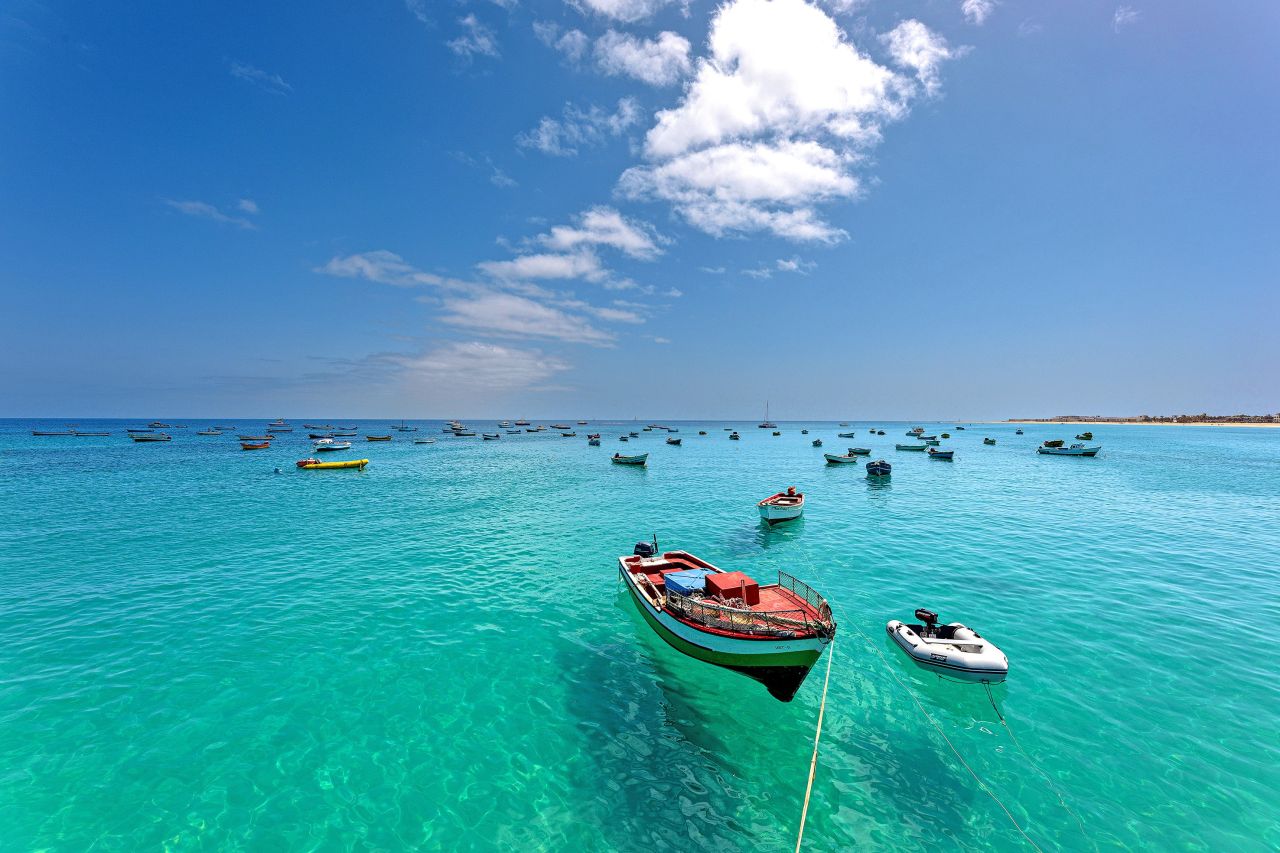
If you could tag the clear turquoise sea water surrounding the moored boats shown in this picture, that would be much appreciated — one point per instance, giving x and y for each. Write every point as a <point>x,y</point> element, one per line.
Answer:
<point>198,654</point>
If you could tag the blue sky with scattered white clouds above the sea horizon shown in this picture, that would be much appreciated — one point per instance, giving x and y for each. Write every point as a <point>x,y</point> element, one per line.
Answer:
<point>614,208</point>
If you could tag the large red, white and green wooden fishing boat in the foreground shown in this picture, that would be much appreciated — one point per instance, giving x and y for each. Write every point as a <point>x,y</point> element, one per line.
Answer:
<point>772,633</point>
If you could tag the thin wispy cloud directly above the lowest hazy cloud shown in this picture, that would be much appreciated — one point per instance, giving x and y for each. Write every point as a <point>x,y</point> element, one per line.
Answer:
<point>511,316</point>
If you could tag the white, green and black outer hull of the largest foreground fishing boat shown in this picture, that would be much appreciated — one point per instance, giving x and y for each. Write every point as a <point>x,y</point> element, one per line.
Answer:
<point>780,665</point>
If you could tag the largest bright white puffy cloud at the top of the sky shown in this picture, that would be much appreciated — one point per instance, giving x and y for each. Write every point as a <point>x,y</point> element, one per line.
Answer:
<point>775,118</point>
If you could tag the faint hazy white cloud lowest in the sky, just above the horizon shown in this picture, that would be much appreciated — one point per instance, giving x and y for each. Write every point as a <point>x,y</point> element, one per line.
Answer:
<point>484,367</point>
